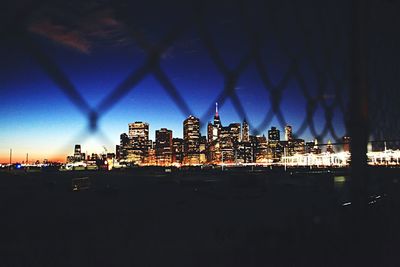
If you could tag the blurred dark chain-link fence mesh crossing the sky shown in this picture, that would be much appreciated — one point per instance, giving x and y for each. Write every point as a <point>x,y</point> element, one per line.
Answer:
<point>313,34</point>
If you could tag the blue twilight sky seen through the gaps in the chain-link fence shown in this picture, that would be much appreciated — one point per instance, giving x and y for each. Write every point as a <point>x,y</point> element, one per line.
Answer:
<point>38,118</point>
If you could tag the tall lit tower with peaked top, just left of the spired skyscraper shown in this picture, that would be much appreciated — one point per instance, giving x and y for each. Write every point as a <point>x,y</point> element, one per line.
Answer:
<point>191,137</point>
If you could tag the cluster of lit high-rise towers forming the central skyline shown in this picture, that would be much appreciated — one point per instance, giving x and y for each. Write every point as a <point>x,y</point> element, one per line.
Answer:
<point>230,144</point>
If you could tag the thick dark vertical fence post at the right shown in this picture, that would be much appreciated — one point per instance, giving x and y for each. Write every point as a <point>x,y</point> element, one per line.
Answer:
<point>358,123</point>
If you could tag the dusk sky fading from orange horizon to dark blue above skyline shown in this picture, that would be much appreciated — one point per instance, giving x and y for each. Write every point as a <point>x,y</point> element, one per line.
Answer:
<point>92,45</point>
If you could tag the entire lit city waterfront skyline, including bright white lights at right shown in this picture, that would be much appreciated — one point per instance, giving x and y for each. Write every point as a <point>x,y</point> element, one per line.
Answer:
<point>231,145</point>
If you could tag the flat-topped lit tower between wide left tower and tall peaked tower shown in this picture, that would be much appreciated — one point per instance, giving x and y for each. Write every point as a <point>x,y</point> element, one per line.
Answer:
<point>163,147</point>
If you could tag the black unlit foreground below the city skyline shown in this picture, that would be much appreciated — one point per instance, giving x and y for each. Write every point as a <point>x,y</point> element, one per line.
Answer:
<point>197,219</point>
